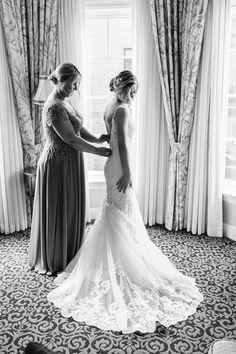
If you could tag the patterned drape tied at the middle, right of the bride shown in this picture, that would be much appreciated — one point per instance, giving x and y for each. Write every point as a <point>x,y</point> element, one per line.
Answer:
<point>178,27</point>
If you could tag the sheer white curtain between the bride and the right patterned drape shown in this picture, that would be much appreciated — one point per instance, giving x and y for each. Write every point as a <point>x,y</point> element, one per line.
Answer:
<point>152,143</point>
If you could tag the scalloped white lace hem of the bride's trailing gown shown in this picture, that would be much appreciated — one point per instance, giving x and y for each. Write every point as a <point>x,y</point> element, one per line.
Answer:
<point>137,309</point>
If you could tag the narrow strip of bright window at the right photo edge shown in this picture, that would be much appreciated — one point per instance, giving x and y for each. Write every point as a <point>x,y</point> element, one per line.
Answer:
<point>230,163</point>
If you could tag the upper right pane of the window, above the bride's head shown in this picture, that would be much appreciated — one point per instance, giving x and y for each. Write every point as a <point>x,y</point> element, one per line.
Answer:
<point>120,36</point>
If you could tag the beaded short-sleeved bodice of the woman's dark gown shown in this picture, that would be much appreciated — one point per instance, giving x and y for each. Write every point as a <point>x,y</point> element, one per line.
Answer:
<point>56,111</point>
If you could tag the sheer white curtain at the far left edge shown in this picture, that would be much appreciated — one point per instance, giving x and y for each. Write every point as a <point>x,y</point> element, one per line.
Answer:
<point>12,195</point>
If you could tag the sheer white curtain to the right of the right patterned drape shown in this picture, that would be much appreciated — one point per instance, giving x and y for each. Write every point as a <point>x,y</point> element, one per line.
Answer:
<point>203,212</point>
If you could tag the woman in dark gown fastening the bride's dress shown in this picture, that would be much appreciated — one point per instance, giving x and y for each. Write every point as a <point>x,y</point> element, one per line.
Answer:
<point>59,206</point>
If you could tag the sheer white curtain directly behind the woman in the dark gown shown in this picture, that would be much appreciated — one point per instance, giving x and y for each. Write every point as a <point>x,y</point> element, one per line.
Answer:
<point>71,42</point>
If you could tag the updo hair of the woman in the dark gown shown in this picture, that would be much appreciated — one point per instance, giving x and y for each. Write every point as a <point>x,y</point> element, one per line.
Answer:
<point>63,72</point>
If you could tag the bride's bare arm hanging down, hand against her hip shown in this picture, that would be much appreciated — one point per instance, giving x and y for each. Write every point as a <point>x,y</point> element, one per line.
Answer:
<point>121,119</point>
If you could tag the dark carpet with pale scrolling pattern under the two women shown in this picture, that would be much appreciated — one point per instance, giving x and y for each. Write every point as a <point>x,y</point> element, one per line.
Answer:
<point>26,315</point>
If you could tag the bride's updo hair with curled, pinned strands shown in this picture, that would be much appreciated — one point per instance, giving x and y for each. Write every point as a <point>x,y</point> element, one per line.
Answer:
<point>123,81</point>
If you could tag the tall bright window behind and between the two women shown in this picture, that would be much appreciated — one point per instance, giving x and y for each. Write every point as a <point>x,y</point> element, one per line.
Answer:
<point>109,51</point>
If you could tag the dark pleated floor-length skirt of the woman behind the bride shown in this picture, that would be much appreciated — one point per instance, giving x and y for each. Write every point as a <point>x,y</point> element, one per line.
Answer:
<point>58,219</point>
